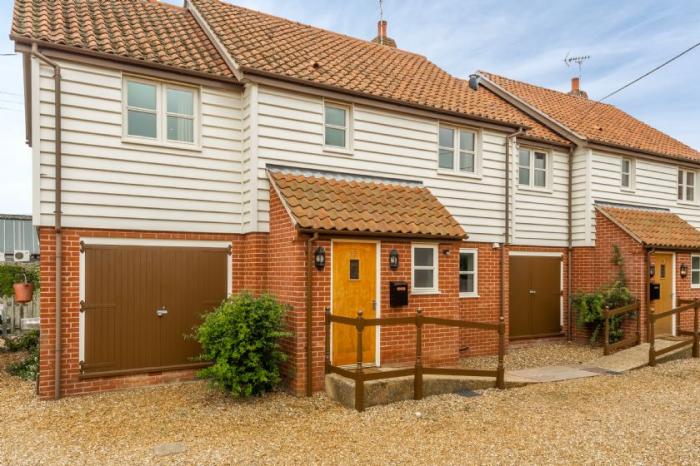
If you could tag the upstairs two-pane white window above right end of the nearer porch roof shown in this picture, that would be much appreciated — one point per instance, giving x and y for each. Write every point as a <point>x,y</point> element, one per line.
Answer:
<point>457,150</point>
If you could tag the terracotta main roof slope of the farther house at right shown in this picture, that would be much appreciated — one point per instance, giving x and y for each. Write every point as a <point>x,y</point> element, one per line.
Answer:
<point>598,122</point>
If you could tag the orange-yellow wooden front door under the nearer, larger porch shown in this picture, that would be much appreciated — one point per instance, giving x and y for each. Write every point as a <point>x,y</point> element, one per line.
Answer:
<point>354,288</point>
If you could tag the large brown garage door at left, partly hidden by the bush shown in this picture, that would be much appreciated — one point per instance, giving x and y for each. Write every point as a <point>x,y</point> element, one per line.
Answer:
<point>126,286</point>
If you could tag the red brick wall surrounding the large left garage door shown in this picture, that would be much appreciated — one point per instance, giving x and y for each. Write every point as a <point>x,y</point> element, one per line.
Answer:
<point>243,249</point>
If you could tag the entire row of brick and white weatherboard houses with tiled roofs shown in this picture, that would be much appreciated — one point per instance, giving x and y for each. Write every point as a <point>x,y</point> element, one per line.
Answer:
<point>208,149</point>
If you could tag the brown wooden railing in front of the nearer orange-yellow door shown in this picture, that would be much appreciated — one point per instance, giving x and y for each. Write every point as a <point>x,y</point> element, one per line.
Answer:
<point>418,370</point>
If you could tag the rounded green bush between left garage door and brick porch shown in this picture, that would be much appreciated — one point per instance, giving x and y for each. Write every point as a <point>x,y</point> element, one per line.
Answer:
<point>241,339</point>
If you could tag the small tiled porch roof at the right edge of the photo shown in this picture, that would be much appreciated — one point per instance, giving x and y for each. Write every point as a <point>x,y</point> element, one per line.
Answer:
<point>654,228</point>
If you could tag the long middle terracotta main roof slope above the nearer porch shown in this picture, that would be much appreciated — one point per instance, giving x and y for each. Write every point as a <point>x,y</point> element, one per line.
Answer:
<point>265,43</point>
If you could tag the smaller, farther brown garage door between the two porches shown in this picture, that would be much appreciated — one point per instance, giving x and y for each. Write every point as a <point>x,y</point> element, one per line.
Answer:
<point>535,296</point>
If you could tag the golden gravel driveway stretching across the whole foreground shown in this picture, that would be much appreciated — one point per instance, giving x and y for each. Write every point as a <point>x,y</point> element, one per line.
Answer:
<point>647,416</point>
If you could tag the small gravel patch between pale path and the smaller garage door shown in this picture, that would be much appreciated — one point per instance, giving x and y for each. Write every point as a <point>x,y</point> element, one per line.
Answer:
<point>537,355</point>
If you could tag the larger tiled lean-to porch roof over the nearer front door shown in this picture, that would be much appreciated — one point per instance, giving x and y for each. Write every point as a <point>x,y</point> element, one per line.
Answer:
<point>371,207</point>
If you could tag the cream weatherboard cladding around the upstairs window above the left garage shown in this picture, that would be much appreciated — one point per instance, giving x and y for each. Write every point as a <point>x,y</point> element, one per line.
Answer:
<point>111,183</point>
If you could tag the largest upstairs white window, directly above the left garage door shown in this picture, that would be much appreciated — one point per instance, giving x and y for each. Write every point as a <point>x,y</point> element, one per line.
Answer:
<point>160,112</point>
